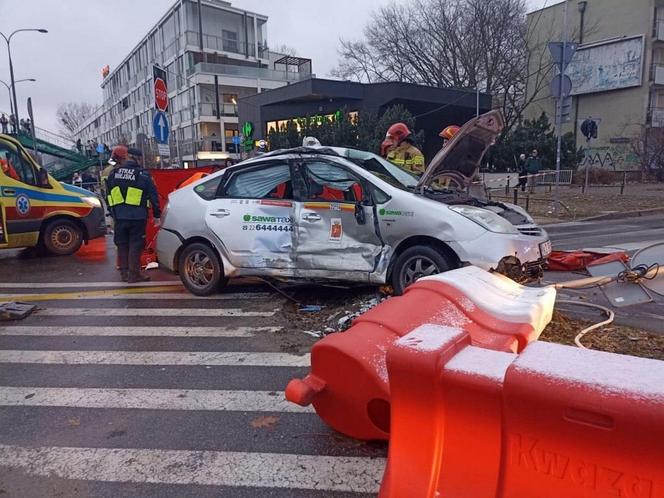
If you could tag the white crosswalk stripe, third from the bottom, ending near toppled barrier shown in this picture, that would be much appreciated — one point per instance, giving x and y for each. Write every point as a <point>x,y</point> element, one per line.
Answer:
<point>163,358</point>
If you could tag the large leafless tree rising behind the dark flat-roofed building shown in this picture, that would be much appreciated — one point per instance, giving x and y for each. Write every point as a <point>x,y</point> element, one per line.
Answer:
<point>449,43</point>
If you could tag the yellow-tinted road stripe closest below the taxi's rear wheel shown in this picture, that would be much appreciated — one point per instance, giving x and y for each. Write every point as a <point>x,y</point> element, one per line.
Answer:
<point>119,295</point>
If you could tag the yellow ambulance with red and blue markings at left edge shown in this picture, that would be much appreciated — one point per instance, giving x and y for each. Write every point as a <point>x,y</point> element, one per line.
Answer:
<point>38,211</point>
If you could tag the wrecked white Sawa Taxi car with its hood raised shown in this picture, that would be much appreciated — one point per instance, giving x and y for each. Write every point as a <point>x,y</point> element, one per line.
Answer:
<point>321,213</point>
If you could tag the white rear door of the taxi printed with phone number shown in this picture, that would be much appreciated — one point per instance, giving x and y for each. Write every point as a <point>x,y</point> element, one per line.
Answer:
<point>253,217</point>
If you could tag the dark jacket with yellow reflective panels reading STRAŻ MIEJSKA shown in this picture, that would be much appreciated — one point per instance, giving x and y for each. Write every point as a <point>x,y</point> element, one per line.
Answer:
<point>130,192</point>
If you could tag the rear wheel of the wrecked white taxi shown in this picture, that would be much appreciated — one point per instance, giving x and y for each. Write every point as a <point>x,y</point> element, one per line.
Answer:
<point>200,270</point>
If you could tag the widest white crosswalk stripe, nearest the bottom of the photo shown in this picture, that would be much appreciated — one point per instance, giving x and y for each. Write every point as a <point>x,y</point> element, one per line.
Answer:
<point>213,468</point>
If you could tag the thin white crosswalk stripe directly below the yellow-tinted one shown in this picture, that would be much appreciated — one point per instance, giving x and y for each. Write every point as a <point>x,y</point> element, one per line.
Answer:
<point>196,312</point>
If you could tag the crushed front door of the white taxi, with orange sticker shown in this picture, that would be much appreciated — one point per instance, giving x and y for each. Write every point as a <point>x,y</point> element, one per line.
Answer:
<point>335,220</point>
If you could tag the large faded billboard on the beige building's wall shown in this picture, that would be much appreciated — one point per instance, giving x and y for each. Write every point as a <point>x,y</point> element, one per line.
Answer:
<point>607,66</point>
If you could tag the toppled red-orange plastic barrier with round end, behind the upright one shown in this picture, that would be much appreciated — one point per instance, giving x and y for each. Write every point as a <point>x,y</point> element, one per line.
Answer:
<point>348,384</point>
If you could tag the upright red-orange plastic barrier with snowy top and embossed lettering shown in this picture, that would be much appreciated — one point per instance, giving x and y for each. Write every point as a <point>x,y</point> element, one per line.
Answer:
<point>554,421</point>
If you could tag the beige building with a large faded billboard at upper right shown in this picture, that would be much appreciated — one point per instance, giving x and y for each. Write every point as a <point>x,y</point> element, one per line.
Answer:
<point>617,75</point>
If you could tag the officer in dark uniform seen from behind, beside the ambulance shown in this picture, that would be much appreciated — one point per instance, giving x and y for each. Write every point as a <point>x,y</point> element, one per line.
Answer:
<point>130,193</point>
